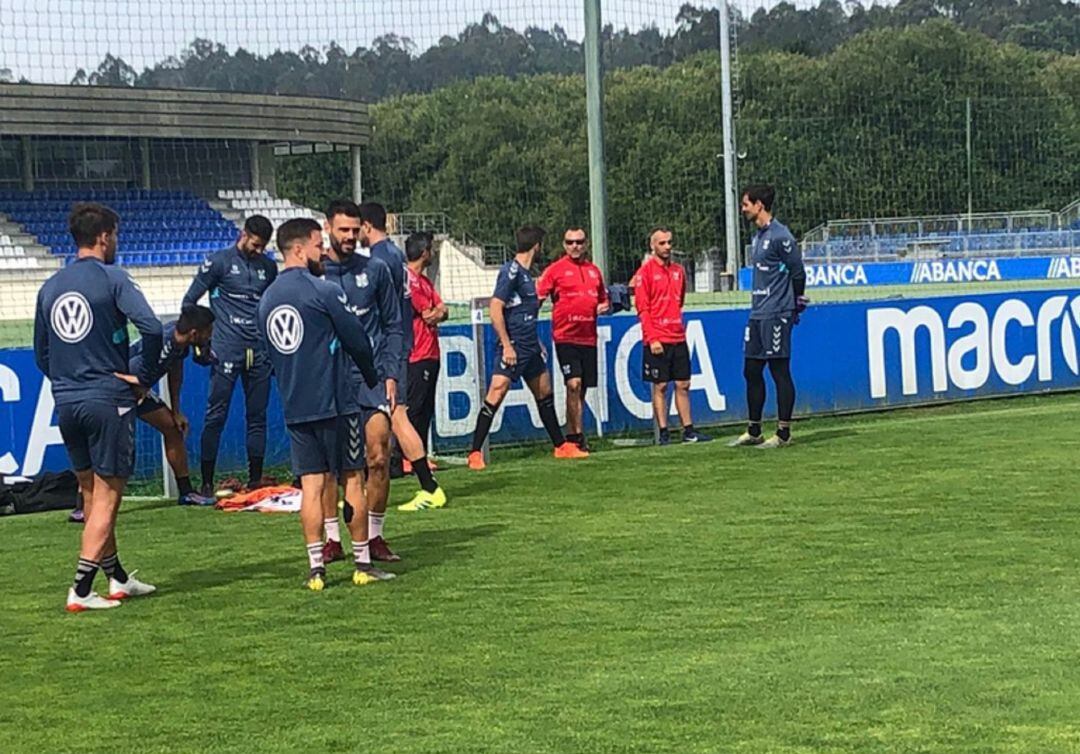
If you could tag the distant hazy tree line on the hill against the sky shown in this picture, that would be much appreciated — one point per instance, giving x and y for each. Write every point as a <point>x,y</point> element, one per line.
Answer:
<point>393,65</point>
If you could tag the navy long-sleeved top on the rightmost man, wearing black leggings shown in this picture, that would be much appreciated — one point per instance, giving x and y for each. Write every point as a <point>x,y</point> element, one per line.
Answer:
<point>778,266</point>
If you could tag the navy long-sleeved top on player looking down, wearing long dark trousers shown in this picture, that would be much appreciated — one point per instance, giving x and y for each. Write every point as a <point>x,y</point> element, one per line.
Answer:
<point>236,284</point>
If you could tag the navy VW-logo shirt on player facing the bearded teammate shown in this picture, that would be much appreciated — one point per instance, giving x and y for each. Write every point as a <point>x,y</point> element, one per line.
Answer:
<point>306,321</point>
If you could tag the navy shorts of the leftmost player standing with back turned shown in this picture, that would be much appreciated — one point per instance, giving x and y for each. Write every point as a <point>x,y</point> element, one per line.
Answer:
<point>100,437</point>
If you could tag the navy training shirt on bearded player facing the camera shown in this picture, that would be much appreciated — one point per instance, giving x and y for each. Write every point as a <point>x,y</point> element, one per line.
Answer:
<point>370,290</point>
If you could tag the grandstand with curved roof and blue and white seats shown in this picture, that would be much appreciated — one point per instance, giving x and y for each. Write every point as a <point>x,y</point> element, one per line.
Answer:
<point>182,168</point>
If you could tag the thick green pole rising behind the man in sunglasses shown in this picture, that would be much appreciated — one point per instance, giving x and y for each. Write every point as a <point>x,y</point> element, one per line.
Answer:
<point>595,114</point>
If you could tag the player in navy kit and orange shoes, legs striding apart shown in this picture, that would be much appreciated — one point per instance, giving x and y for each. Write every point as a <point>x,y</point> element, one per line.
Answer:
<point>520,356</point>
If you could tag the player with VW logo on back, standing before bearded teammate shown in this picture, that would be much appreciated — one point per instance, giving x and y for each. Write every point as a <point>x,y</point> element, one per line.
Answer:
<point>305,320</point>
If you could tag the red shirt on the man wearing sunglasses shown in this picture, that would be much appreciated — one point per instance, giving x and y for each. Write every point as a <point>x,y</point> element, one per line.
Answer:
<point>576,290</point>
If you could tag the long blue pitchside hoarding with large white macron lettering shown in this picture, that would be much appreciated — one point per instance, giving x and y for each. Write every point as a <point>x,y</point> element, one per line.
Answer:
<point>847,357</point>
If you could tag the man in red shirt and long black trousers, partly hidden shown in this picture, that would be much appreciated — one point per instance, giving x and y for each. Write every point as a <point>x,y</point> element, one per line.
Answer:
<point>424,362</point>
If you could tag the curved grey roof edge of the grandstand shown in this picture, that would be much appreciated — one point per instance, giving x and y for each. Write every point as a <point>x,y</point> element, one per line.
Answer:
<point>87,112</point>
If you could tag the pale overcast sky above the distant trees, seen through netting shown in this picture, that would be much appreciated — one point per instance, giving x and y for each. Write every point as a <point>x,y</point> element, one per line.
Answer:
<point>48,41</point>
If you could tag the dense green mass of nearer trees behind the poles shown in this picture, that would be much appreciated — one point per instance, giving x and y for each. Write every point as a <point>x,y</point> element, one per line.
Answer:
<point>876,128</point>
